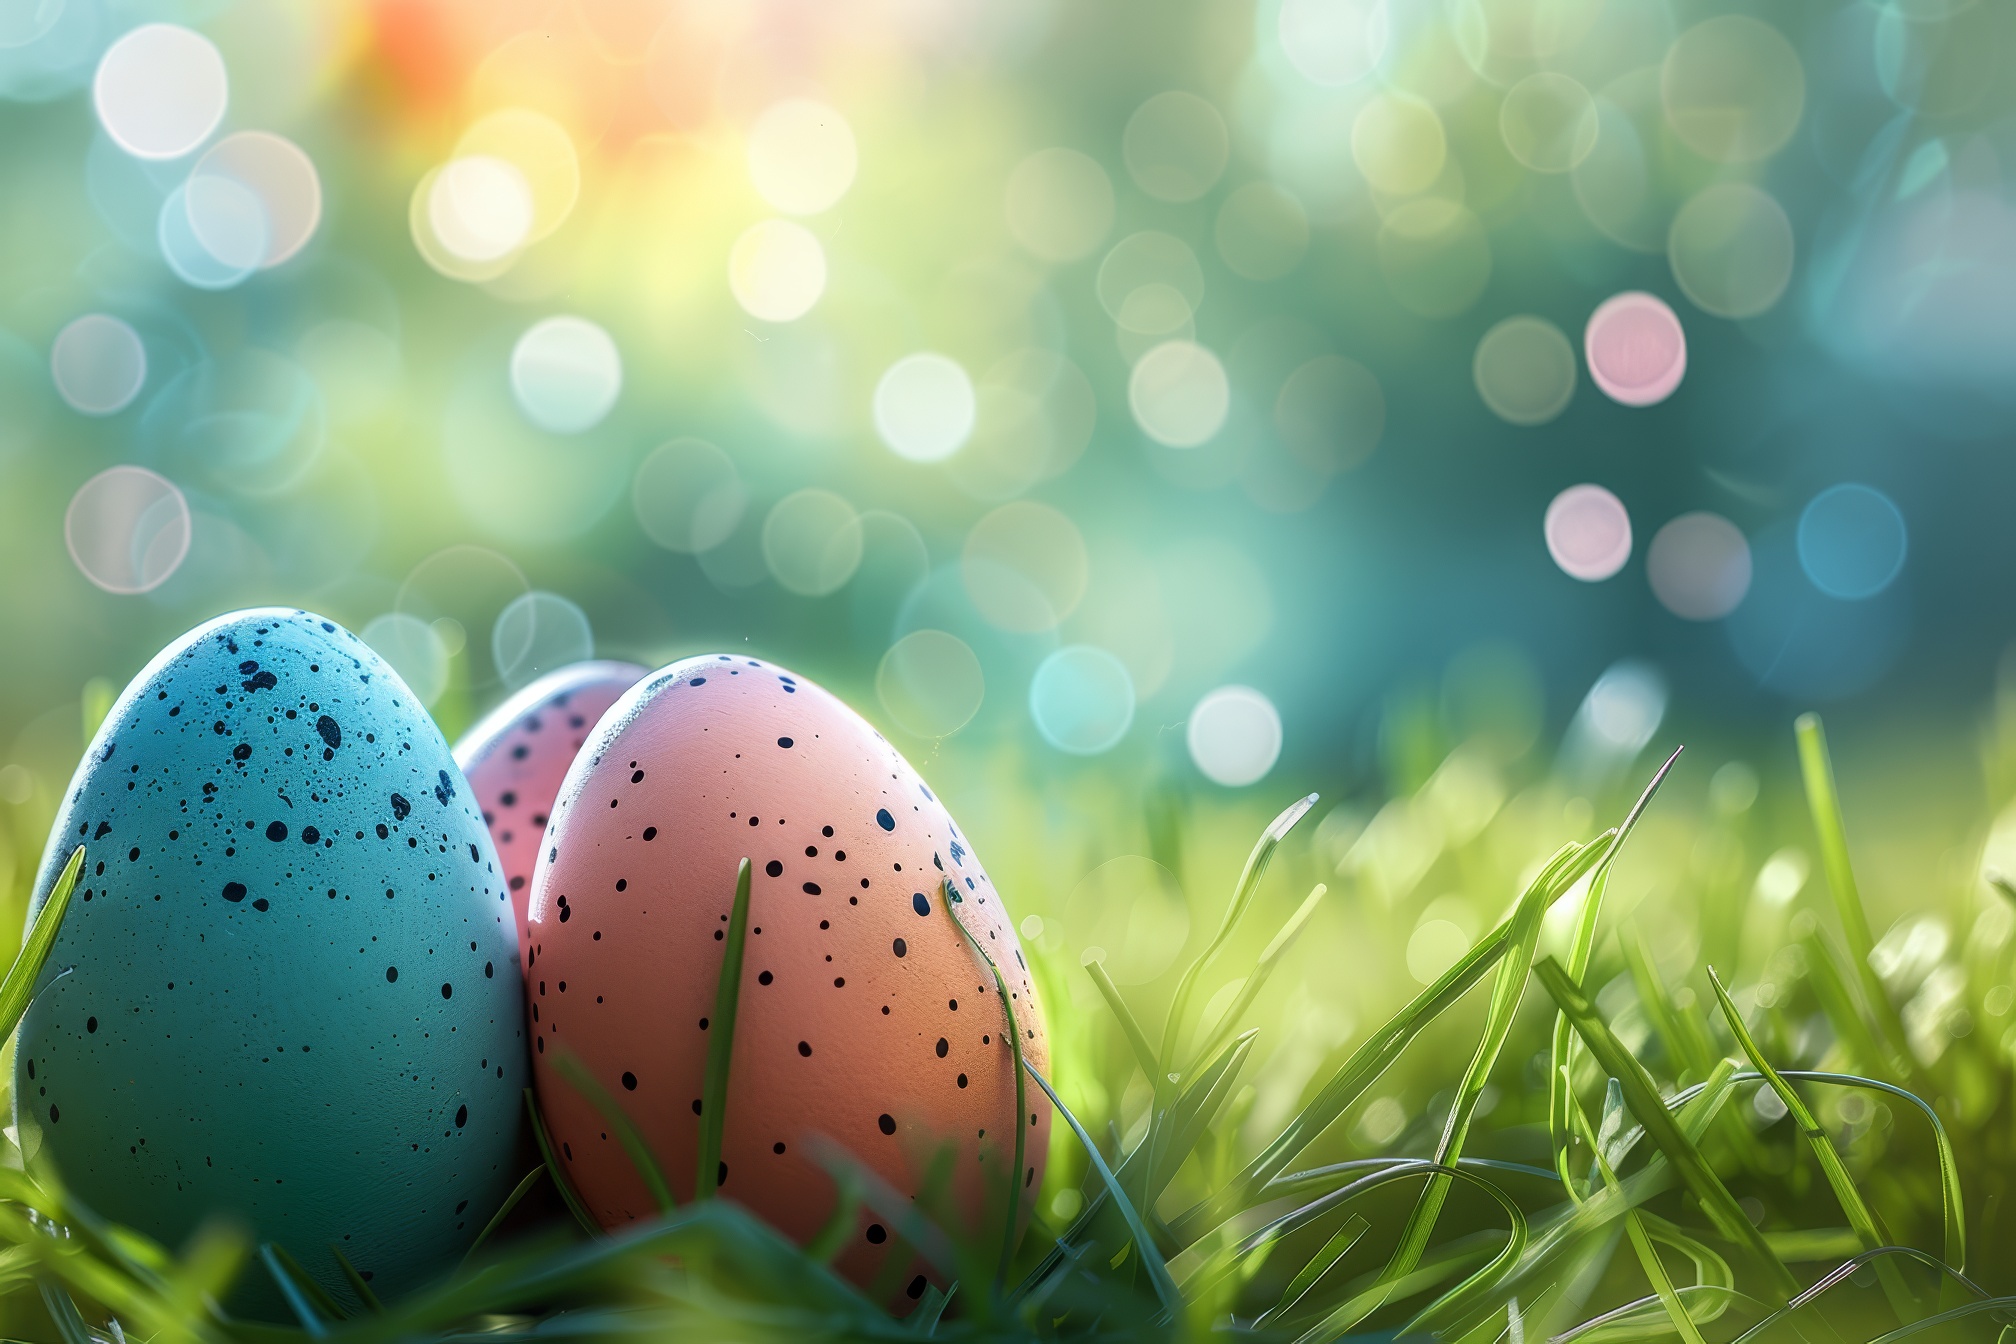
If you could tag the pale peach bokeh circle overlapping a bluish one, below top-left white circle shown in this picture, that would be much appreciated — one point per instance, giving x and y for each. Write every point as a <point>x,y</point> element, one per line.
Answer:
<point>255,200</point>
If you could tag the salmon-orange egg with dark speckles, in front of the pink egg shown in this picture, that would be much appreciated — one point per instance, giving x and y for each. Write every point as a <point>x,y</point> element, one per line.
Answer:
<point>864,1013</point>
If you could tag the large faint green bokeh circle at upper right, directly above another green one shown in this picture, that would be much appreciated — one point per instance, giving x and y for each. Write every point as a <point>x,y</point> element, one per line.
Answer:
<point>1733,90</point>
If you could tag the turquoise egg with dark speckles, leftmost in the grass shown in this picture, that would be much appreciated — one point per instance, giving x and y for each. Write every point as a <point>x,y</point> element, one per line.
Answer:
<point>285,988</point>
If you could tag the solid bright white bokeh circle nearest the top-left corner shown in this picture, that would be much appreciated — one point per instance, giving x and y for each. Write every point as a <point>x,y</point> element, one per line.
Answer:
<point>160,92</point>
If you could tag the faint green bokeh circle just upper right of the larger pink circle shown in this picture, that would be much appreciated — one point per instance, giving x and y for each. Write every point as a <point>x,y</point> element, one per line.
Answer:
<point>1733,251</point>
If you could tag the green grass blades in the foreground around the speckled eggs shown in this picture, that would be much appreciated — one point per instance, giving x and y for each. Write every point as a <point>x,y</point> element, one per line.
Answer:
<point>1616,1148</point>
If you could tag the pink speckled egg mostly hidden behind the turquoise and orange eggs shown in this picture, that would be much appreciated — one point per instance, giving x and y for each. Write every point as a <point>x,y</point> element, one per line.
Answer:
<point>517,757</point>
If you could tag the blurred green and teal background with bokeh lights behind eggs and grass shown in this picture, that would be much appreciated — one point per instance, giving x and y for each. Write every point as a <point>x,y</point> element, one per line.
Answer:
<point>1142,412</point>
